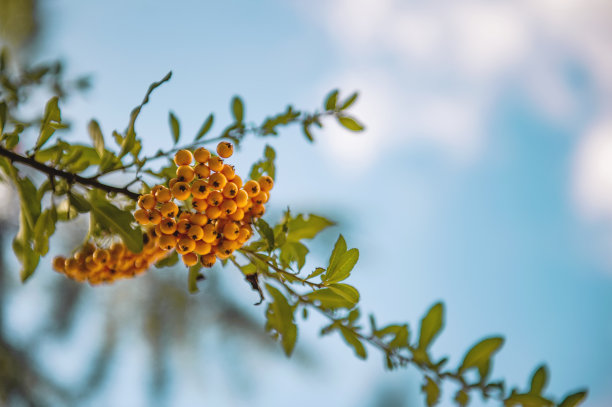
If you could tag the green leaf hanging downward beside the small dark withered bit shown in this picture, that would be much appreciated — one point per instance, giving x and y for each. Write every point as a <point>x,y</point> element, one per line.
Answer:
<point>280,318</point>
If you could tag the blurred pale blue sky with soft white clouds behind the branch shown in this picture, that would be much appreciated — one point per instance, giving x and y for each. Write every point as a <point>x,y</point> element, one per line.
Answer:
<point>477,181</point>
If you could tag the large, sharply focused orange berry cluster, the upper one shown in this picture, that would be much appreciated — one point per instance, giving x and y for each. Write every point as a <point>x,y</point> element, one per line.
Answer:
<point>216,212</point>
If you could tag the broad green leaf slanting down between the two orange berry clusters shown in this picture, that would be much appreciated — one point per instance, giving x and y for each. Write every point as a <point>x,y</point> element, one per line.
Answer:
<point>117,220</point>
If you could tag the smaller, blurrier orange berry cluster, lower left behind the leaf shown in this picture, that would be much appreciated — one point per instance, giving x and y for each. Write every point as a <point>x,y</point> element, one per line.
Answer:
<point>98,265</point>
